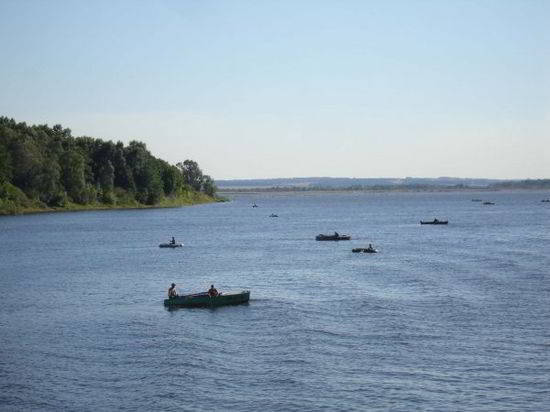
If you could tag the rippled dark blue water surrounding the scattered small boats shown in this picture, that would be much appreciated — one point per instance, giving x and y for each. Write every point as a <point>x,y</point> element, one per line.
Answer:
<point>450,317</point>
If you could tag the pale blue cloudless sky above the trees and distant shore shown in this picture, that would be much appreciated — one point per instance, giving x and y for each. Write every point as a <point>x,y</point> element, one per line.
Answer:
<point>265,89</point>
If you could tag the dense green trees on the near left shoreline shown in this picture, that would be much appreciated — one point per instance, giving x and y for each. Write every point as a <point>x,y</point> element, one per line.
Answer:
<point>52,168</point>
